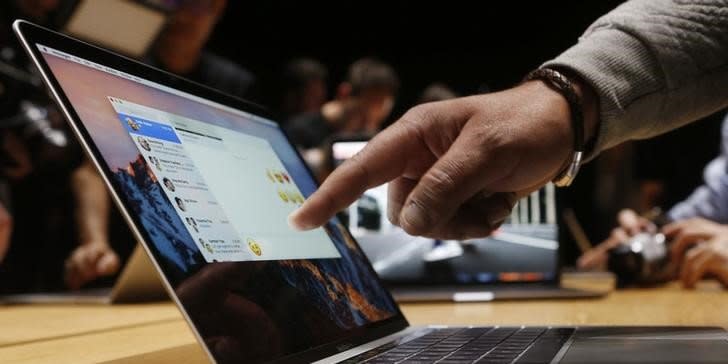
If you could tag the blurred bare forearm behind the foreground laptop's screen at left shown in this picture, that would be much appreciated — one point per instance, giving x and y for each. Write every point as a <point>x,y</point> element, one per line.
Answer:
<point>92,204</point>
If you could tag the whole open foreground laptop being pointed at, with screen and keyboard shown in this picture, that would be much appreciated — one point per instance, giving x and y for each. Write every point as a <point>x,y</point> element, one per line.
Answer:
<point>251,288</point>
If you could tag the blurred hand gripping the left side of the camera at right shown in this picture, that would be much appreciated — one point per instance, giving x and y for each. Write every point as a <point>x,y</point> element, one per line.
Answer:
<point>630,224</point>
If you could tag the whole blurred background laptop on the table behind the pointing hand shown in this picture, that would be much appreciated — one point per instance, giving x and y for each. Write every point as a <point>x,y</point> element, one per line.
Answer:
<point>518,261</point>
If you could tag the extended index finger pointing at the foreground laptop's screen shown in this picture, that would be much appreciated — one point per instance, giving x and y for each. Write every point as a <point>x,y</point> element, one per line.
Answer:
<point>384,158</point>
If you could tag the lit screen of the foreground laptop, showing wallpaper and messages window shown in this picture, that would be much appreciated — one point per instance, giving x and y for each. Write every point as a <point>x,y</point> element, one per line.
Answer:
<point>210,188</point>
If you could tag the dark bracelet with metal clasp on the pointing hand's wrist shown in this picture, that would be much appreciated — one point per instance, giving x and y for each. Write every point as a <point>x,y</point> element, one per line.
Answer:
<point>560,83</point>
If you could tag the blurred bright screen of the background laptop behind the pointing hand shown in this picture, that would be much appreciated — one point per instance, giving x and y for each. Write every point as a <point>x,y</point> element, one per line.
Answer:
<point>523,250</point>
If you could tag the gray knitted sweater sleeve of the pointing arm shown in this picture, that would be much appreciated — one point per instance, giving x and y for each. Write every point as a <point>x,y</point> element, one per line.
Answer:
<point>655,66</point>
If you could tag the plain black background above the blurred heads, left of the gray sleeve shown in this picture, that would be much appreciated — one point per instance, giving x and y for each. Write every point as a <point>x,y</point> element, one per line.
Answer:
<point>463,44</point>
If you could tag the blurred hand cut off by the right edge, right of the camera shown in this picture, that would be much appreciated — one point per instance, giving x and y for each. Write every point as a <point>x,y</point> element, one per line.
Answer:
<point>707,259</point>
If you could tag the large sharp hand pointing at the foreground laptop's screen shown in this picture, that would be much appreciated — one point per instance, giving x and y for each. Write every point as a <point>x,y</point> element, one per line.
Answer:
<point>456,167</point>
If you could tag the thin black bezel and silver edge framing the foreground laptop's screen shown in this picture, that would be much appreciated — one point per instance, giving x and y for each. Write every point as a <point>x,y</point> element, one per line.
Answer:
<point>32,35</point>
